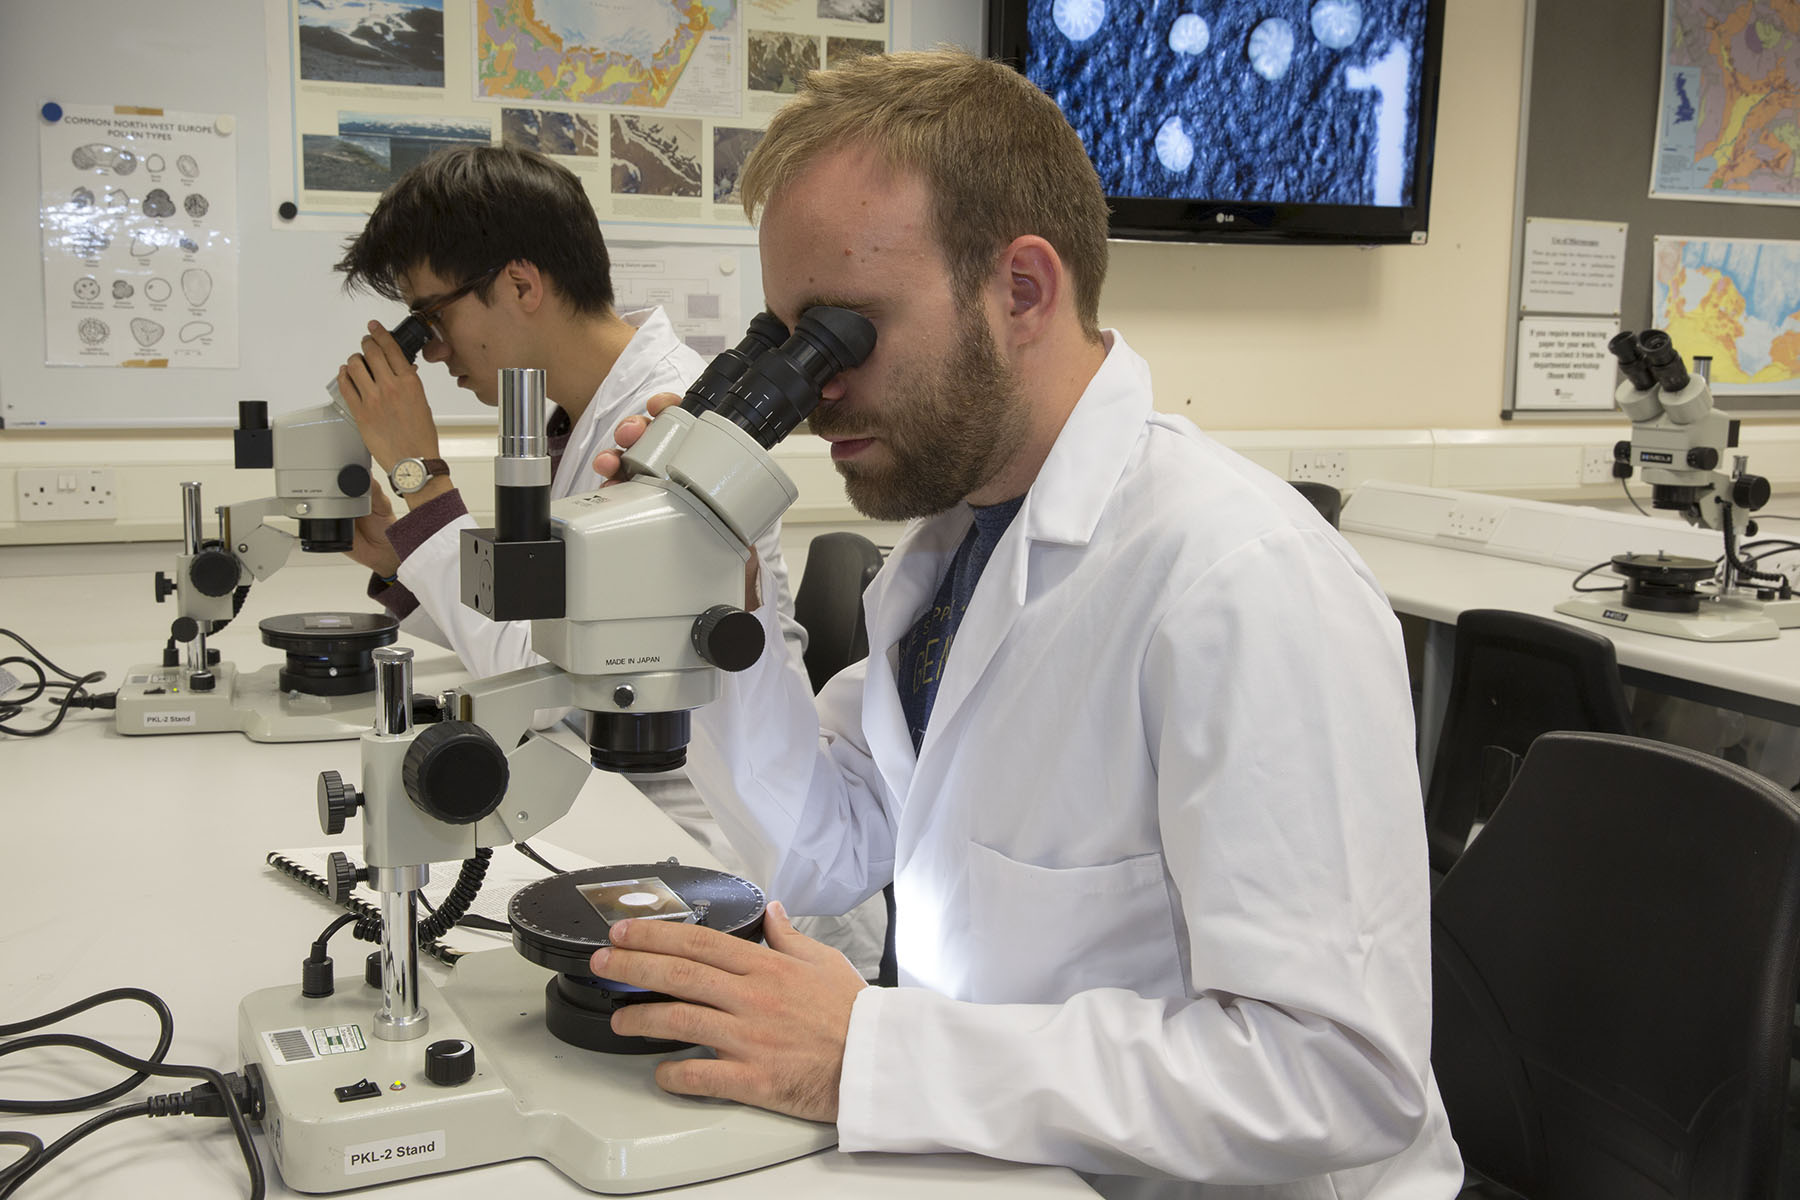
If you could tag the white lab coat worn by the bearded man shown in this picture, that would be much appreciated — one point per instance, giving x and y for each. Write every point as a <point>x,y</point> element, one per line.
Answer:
<point>1160,861</point>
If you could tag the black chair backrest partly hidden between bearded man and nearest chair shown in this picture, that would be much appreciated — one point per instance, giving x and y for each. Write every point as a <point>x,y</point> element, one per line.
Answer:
<point>1515,677</point>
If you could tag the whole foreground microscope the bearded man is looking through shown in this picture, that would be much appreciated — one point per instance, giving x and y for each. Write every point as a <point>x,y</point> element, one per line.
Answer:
<point>636,600</point>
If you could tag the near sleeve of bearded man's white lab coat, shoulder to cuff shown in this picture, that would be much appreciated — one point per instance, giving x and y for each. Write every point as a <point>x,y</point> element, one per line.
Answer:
<point>1277,712</point>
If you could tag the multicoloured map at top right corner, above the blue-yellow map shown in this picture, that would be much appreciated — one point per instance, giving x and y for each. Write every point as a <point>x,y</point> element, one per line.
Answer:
<point>1731,107</point>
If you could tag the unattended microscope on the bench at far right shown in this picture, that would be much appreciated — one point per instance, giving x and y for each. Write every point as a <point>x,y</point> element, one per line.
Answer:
<point>1678,443</point>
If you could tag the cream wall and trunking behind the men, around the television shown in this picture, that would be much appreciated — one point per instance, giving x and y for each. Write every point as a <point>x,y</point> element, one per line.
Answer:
<point>1392,355</point>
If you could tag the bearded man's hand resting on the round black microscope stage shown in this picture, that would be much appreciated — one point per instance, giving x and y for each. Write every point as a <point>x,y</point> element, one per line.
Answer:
<point>775,1016</point>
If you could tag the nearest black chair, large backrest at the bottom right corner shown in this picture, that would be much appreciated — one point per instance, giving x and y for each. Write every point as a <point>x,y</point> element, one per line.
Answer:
<point>1614,971</point>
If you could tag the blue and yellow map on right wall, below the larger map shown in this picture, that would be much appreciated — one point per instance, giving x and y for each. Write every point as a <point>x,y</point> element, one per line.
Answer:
<point>1736,301</point>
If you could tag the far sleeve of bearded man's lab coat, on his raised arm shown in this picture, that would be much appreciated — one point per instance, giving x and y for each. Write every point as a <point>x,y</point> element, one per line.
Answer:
<point>791,782</point>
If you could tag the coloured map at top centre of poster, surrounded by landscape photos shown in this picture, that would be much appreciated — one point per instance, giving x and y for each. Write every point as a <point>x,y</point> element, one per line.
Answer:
<point>629,53</point>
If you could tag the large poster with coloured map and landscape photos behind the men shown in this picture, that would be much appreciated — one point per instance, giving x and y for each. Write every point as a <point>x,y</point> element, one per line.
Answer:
<point>652,103</point>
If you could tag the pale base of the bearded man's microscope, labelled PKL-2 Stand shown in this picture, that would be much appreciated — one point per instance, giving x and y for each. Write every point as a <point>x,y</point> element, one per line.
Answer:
<point>597,1118</point>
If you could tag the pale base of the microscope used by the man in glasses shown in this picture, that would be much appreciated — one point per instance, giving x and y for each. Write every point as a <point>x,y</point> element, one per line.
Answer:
<point>156,701</point>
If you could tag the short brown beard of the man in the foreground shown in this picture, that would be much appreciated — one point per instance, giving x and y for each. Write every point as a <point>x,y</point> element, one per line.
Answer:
<point>949,427</point>
